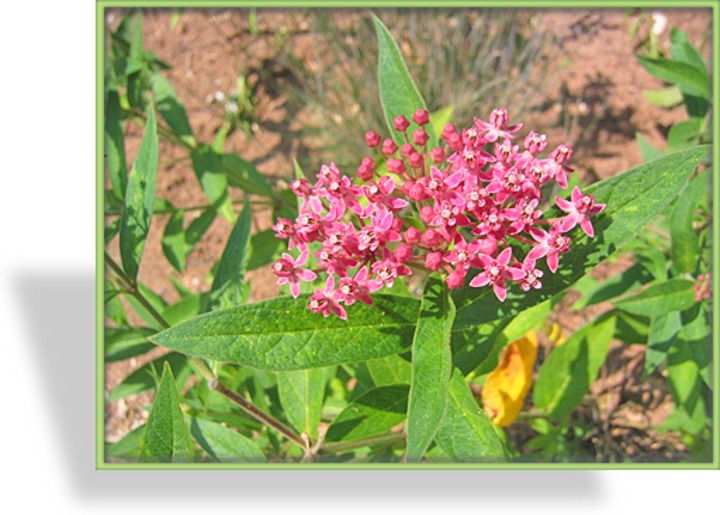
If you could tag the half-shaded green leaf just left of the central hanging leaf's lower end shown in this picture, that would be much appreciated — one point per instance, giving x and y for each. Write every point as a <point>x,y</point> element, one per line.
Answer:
<point>375,412</point>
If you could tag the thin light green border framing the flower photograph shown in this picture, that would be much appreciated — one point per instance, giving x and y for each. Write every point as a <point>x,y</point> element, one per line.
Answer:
<point>100,463</point>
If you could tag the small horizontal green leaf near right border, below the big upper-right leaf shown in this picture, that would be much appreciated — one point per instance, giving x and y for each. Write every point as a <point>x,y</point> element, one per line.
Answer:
<point>660,299</point>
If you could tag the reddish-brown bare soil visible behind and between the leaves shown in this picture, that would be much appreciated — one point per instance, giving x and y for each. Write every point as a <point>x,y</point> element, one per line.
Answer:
<point>592,98</point>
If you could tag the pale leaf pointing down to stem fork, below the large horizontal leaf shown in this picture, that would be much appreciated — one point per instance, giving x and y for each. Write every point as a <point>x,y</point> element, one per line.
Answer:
<point>302,393</point>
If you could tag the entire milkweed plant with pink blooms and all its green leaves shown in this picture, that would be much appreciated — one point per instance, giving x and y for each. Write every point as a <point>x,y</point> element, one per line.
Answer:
<point>414,280</point>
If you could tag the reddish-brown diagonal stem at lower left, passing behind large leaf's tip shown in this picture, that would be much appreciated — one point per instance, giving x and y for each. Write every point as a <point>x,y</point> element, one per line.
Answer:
<point>131,287</point>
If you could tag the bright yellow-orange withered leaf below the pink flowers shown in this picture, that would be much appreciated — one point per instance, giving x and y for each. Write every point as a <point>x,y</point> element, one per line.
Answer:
<point>503,394</point>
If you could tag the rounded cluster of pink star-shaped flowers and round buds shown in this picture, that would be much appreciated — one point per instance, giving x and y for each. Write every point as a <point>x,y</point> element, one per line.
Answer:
<point>449,209</point>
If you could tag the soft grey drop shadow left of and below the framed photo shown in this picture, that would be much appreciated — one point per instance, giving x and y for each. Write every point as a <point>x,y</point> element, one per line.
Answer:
<point>63,347</point>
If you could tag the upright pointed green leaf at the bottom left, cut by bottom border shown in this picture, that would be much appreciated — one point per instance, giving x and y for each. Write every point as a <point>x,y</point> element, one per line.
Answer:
<point>166,437</point>
